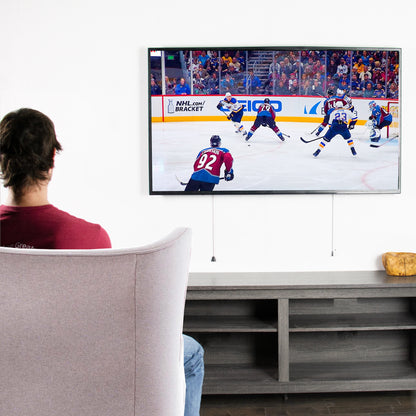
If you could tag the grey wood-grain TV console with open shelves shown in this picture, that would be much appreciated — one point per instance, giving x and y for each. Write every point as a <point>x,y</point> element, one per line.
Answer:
<point>304,332</point>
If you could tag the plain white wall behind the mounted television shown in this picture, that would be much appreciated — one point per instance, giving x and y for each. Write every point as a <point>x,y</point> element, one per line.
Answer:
<point>83,63</point>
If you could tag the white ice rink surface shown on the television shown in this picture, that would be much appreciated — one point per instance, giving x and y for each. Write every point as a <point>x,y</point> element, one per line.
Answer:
<point>265,163</point>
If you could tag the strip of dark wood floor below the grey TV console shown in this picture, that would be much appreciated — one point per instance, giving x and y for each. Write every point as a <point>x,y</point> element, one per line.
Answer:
<point>347,404</point>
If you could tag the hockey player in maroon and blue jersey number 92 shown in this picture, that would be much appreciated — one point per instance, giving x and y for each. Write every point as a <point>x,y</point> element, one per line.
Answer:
<point>208,165</point>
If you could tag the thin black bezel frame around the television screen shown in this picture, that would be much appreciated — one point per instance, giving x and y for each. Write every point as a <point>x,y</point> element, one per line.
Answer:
<point>272,192</point>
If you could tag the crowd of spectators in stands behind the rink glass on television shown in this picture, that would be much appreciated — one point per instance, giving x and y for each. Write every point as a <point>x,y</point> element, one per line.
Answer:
<point>367,73</point>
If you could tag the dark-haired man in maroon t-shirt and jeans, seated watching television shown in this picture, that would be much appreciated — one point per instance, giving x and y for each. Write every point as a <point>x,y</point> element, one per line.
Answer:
<point>28,146</point>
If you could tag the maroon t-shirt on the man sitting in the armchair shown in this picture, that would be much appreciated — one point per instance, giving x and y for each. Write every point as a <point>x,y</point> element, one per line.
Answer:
<point>48,227</point>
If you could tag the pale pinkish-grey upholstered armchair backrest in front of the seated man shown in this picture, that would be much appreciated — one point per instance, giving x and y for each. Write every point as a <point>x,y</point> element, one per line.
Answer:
<point>93,332</point>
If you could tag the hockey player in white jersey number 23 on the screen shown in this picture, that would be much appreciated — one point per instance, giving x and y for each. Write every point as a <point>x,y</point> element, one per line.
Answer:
<point>341,121</point>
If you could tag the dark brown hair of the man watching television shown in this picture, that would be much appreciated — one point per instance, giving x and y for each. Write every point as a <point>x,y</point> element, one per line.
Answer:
<point>27,148</point>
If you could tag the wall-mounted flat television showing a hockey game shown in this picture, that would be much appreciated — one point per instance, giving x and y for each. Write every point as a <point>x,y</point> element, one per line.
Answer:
<point>274,120</point>
